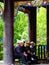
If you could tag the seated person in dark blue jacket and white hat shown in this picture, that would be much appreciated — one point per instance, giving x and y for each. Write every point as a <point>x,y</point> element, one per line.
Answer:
<point>19,52</point>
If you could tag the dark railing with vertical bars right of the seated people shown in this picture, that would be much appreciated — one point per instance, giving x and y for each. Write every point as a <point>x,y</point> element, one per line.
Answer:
<point>41,51</point>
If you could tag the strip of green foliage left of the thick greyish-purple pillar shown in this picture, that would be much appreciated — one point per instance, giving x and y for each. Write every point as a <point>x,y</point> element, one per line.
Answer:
<point>1,38</point>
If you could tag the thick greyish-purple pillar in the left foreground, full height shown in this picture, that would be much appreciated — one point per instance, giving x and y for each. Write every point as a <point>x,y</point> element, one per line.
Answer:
<point>9,32</point>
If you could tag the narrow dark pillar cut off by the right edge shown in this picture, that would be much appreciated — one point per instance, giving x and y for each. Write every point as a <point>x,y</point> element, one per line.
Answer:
<point>48,32</point>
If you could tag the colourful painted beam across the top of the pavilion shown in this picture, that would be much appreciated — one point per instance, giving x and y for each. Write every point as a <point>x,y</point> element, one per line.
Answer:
<point>28,2</point>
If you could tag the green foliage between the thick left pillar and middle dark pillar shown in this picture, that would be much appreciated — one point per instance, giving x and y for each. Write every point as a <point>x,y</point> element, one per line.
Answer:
<point>20,27</point>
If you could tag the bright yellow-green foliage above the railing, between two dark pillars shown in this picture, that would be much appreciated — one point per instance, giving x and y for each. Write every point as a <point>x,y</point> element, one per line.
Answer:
<point>41,26</point>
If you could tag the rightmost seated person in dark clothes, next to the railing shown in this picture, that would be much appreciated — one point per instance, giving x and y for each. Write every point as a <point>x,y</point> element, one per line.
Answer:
<point>34,59</point>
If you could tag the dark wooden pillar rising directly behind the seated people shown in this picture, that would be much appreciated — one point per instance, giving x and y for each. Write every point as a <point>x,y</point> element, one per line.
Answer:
<point>32,24</point>
